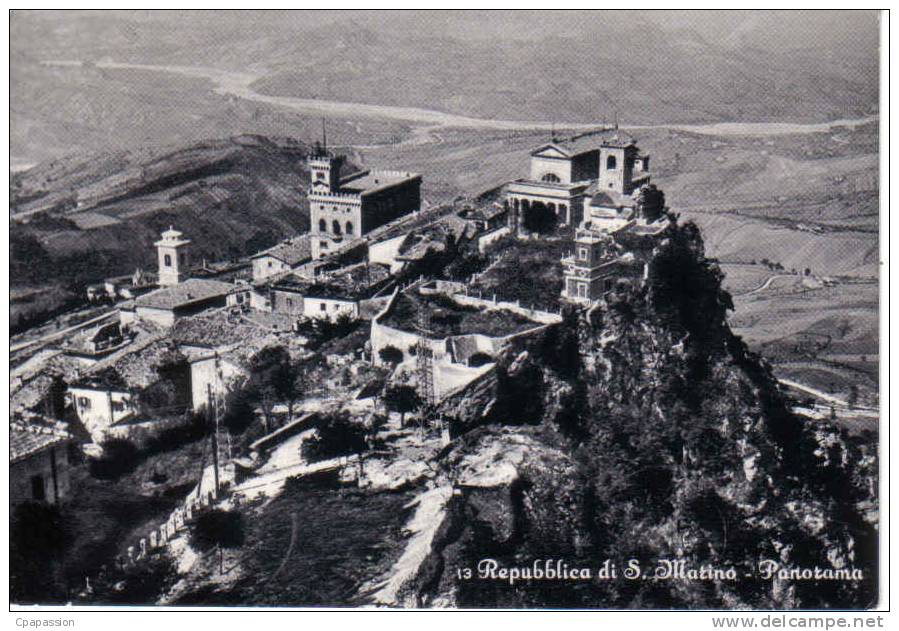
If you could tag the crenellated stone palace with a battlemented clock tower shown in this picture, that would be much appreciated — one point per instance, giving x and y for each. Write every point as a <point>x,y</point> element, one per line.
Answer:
<point>345,208</point>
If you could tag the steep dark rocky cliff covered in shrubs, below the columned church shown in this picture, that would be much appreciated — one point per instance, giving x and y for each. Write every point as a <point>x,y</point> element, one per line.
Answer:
<point>651,433</point>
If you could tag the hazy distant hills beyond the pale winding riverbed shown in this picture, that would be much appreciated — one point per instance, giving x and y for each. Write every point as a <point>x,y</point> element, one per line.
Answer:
<point>650,67</point>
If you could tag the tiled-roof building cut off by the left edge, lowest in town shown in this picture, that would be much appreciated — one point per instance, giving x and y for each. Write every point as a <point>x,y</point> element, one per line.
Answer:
<point>38,464</point>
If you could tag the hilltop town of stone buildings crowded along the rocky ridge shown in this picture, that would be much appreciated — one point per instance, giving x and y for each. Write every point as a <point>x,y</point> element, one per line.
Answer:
<point>392,349</point>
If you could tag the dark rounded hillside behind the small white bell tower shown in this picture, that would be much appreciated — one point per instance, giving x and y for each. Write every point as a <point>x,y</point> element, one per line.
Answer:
<point>79,219</point>
